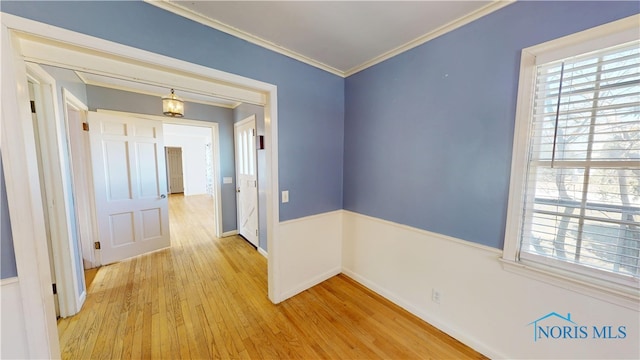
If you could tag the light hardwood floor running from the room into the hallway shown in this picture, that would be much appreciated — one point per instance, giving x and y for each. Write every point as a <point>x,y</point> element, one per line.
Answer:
<point>206,298</point>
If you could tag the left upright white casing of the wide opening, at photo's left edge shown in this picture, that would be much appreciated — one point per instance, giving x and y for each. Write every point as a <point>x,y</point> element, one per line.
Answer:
<point>25,205</point>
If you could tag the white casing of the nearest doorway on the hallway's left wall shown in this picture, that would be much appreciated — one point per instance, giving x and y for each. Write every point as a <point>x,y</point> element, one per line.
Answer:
<point>58,198</point>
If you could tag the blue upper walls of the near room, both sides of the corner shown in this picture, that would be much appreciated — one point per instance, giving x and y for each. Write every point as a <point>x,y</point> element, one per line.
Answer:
<point>425,137</point>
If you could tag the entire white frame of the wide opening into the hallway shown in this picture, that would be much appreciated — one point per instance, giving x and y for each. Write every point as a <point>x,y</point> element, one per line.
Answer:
<point>27,39</point>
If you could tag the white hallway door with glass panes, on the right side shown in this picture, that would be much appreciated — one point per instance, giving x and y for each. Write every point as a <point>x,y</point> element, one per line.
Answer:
<point>247,179</point>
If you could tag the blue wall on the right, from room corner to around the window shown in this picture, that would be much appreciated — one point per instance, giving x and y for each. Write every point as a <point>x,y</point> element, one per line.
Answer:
<point>428,133</point>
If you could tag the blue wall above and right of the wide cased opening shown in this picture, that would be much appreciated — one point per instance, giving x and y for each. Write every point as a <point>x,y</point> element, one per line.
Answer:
<point>310,101</point>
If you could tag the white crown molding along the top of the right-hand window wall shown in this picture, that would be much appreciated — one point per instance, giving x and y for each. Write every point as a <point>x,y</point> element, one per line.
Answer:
<point>483,11</point>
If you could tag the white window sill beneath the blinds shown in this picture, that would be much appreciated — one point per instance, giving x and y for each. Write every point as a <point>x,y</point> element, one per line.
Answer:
<point>601,290</point>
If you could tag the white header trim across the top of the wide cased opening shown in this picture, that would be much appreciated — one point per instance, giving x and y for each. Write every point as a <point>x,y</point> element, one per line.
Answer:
<point>64,48</point>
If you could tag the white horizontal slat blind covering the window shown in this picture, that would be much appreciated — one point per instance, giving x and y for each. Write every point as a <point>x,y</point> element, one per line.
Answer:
<point>582,192</point>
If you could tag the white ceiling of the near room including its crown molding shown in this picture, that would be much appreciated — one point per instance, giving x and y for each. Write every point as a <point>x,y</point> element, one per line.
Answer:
<point>339,36</point>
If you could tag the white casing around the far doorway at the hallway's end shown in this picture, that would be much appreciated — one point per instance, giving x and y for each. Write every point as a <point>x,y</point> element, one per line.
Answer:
<point>215,139</point>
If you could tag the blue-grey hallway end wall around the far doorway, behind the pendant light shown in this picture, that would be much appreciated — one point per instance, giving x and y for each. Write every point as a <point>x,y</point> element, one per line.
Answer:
<point>110,99</point>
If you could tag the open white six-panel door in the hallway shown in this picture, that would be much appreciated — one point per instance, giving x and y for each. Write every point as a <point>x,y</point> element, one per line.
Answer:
<point>130,185</point>
